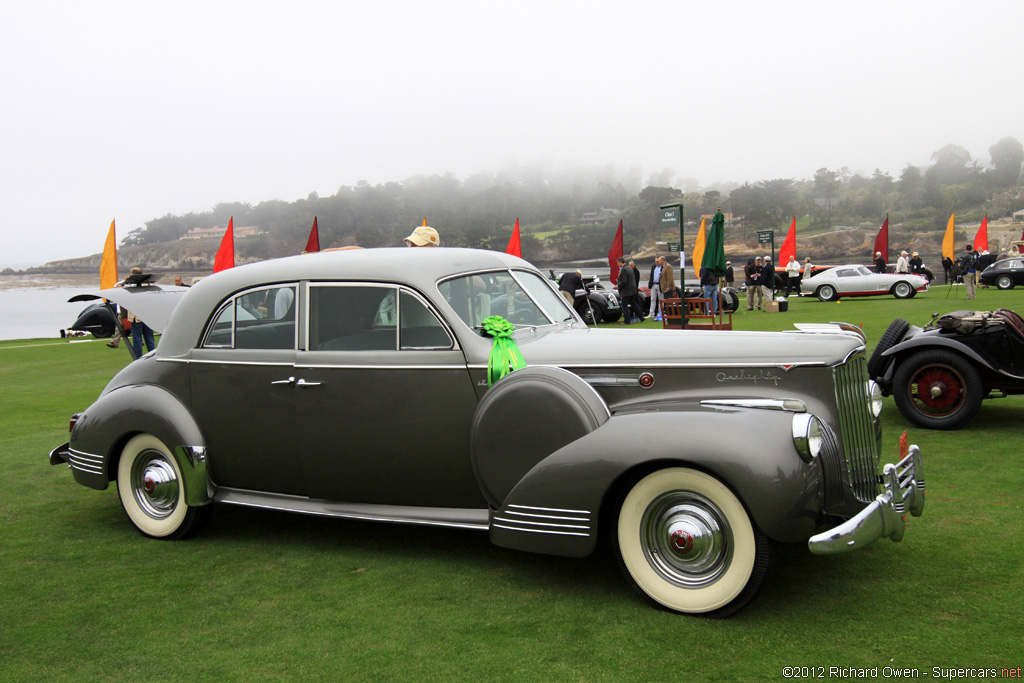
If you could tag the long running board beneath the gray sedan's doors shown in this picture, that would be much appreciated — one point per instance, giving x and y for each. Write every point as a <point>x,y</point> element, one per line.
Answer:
<point>401,515</point>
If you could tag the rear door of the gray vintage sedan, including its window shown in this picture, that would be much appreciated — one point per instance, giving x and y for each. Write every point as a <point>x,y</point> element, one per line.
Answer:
<point>244,393</point>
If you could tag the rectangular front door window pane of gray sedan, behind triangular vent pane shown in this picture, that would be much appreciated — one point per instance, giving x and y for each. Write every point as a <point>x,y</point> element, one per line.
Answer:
<point>347,318</point>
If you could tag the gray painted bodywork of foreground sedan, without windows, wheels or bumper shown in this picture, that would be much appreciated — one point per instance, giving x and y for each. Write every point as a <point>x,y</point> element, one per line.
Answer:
<point>395,430</point>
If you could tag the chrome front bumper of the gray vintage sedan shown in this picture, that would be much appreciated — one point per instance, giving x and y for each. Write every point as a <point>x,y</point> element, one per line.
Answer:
<point>886,517</point>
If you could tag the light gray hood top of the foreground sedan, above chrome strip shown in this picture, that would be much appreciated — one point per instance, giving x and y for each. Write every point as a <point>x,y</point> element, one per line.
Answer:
<point>589,348</point>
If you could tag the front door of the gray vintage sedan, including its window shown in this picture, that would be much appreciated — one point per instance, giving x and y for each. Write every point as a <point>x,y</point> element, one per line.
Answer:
<point>387,413</point>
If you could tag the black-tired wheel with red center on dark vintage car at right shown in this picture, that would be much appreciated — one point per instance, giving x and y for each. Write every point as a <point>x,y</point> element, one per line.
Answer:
<point>938,390</point>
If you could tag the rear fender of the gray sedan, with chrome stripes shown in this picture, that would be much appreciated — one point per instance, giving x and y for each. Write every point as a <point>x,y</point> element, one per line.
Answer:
<point>107,425</point>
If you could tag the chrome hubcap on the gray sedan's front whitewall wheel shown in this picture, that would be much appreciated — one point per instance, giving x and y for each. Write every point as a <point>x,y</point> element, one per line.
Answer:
<point>687,539</point>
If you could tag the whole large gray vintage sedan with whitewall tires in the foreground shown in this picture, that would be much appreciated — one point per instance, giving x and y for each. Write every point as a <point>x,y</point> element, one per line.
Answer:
<point>361,385</point>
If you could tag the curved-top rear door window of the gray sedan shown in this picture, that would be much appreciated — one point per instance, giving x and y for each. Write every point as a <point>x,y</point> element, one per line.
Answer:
<point>260,319</point>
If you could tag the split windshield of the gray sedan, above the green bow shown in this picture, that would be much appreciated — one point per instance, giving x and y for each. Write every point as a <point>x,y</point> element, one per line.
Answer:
<point>522,298</point>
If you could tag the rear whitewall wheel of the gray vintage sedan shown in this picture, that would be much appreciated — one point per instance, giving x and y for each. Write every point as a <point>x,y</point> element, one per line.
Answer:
<point>153,494</point>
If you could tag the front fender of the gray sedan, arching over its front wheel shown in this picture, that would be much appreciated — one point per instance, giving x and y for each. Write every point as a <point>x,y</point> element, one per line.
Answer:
<point>556,508</point>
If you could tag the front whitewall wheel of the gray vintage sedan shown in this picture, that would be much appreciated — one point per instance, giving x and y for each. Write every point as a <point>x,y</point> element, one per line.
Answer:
<point>687,543</point>
